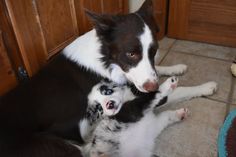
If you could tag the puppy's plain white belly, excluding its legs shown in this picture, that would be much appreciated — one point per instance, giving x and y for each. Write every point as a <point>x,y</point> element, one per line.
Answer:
<point>138,139</point>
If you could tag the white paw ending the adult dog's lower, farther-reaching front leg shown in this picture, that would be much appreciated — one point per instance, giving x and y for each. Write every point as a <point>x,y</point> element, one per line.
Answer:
<point>208,88</point>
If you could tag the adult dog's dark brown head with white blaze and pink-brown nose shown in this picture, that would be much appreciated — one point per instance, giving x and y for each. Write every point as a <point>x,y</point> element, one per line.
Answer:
<point>129,46</point>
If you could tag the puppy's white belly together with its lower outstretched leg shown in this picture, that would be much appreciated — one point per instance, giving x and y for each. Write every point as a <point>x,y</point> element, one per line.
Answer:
<point>139,140</point>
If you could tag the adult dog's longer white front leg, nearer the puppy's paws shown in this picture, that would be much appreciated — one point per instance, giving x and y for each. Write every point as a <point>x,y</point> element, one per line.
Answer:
<point>186,93</point>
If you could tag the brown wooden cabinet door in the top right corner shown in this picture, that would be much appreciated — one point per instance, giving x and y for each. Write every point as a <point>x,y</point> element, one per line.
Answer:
<point>212,21</point>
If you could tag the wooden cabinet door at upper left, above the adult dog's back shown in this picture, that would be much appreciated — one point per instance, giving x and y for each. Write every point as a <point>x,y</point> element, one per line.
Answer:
<point>42,28</point>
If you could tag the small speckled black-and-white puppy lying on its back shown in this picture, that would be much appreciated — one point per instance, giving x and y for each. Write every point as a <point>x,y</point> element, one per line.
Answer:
<point>104,131</point>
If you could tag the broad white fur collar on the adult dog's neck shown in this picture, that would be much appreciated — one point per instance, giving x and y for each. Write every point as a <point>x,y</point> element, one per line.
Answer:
<point>85,51</point>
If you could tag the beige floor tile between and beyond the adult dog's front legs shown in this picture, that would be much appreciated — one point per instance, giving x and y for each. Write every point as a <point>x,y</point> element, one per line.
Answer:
<point>201,70</point>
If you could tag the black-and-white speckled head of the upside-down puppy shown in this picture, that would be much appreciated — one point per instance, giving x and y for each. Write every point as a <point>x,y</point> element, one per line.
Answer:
<point>109,96</point>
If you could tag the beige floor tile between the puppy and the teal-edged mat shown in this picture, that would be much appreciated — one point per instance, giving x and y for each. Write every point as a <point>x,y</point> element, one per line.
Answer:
<point>197,135</point>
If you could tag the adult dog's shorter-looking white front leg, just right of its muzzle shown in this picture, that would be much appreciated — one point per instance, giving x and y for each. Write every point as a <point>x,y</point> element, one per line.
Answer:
<point>178,69</point>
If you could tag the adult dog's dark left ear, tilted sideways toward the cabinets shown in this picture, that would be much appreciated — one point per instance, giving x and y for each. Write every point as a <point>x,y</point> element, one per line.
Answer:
<point>102,23</point>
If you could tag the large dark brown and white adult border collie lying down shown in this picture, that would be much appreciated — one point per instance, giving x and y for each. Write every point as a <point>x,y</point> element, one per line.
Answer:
<point>39,115</point>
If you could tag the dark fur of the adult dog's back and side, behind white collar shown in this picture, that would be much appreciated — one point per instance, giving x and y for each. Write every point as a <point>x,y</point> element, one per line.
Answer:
<point>56,95</point>
